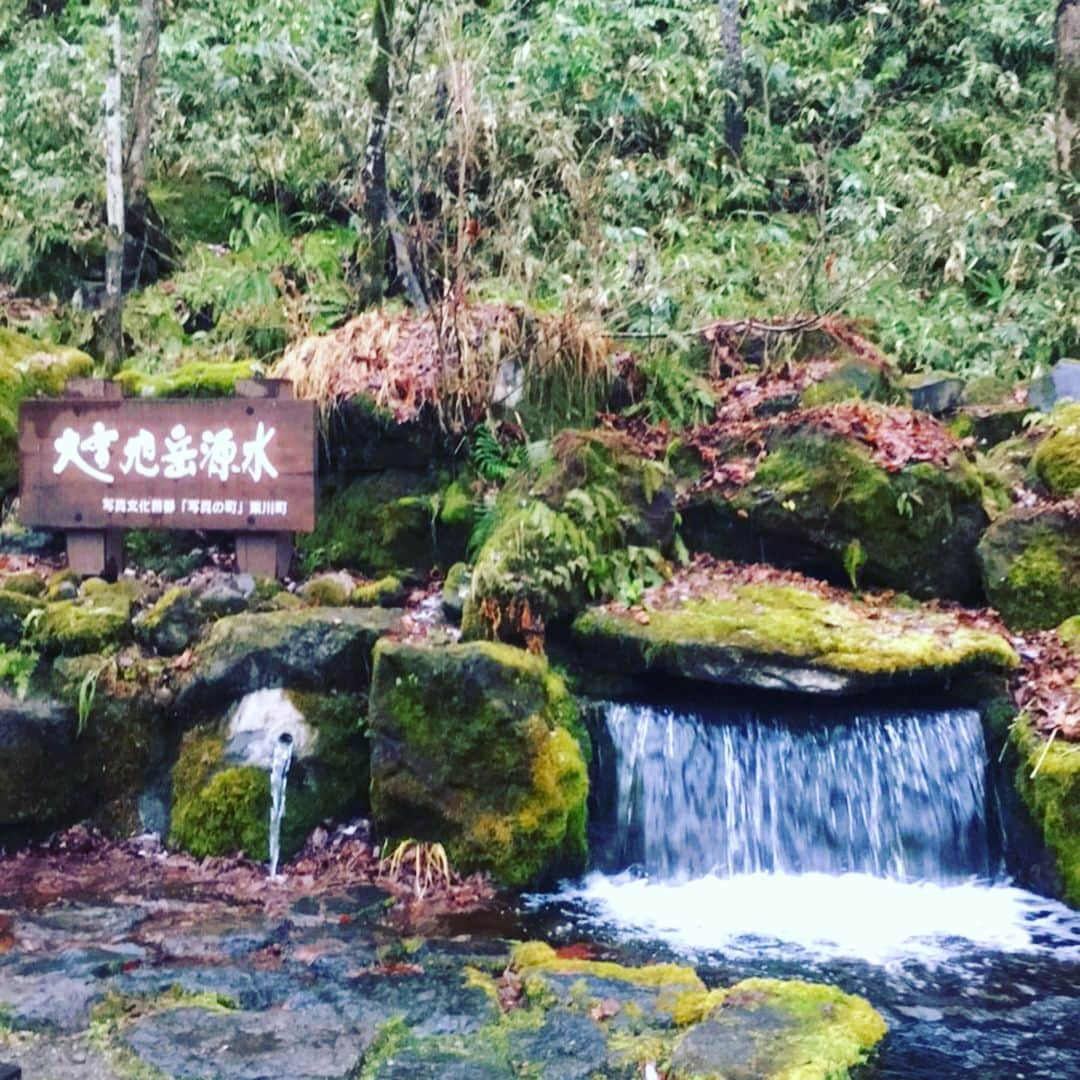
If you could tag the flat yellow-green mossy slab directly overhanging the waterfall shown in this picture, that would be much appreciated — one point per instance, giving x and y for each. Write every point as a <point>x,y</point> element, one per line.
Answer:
<point>781,638</point>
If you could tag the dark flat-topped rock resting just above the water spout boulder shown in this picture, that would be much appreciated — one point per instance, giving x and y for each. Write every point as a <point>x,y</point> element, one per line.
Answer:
<point>309,650</point>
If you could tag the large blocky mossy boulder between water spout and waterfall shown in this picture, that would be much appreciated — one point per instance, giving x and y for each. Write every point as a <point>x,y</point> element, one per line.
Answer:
<point>479,748</point>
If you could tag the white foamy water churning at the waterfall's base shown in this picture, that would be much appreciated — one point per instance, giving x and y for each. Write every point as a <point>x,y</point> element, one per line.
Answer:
<point>847,915</point>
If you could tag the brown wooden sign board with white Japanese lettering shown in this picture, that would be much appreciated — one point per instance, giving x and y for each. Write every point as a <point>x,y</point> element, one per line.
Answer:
<point>244,465</point>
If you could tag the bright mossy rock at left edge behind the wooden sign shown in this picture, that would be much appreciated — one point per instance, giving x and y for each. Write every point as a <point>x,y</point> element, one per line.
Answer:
<point>30,369</point>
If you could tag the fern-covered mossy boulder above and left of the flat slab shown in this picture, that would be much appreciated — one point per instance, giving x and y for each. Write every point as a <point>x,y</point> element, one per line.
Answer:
<point>565,532</point>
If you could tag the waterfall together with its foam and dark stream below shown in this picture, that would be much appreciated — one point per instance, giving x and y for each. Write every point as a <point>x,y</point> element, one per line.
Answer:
<point>860,848</point>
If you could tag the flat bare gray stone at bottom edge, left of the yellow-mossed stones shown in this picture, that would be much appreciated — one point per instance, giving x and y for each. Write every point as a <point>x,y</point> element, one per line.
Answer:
<point>313,1045</point>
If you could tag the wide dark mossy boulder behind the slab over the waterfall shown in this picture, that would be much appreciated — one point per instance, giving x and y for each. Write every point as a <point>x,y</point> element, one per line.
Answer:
<point>816,494</point>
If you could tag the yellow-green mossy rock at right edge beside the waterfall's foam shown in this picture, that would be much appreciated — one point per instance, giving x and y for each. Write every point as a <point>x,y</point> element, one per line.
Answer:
<point>1048,779</point>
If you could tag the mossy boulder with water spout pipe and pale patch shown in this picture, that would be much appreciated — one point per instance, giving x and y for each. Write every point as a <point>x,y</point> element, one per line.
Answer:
<point>222,777</point>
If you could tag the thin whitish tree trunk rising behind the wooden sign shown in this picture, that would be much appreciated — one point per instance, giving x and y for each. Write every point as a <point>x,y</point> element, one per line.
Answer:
<point>114,344</point>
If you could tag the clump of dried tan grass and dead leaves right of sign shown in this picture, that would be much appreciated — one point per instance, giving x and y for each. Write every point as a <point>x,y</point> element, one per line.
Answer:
<point>449,359</point>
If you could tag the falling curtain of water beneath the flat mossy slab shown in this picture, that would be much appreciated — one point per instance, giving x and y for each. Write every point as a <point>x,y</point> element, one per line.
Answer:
<point>890,794</point>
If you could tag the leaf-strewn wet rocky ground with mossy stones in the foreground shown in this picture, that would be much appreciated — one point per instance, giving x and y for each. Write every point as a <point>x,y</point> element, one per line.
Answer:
<point>153,966</point>
